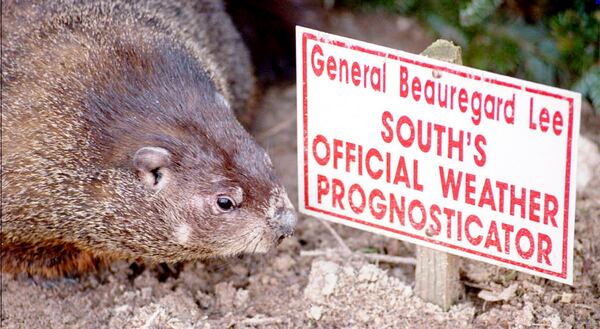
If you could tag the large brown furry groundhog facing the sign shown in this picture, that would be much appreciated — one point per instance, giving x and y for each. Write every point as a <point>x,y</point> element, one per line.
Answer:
<point>120,137</point>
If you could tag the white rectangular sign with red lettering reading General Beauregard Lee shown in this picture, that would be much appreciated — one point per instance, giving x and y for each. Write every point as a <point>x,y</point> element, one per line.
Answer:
<point>445,156</point>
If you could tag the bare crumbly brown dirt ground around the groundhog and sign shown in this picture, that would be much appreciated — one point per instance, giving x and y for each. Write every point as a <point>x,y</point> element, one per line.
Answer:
<point>285,289</point>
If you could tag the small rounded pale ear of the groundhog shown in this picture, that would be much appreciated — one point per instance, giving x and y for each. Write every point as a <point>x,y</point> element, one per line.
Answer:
<point>152,166</point>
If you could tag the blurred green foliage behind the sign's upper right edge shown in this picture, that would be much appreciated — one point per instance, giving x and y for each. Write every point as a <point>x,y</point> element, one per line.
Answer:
<point>544,41</point>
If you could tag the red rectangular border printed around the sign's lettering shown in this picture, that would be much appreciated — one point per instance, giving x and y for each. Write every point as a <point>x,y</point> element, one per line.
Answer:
<point>309,36</point>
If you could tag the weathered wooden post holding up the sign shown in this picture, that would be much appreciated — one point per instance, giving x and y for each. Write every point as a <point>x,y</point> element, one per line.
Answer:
<point>437,279</point>
